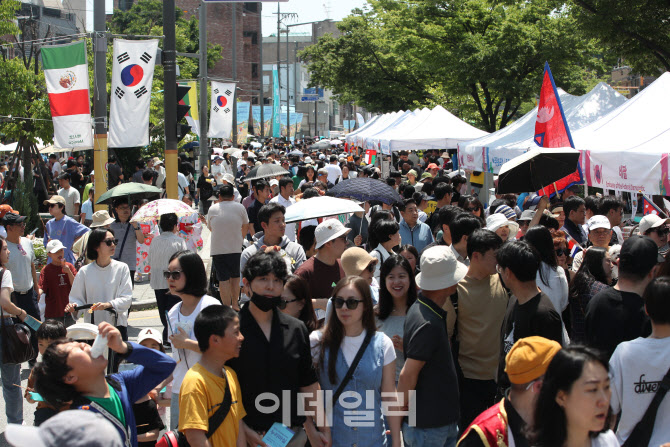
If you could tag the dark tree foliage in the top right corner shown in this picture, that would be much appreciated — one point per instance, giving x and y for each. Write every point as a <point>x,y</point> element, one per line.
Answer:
<point>637,31</point>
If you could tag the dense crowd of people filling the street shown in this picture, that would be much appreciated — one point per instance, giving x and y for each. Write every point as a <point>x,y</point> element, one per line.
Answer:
<point>430,321</point>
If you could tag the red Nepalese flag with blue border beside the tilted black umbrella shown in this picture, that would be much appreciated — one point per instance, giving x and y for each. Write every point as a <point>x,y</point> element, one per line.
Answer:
<point>551,130</point>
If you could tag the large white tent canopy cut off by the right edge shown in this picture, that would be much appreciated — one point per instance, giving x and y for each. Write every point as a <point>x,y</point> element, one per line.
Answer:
<point>627,150</point>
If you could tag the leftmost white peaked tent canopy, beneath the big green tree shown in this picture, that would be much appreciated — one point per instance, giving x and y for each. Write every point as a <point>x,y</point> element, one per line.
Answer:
<point>438,130</point>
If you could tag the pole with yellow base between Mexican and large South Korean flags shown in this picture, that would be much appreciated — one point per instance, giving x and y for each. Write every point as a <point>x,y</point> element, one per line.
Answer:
<point>100,100</point>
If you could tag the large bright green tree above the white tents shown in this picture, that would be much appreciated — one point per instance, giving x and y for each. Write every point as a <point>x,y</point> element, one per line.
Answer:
<point>484,56</point>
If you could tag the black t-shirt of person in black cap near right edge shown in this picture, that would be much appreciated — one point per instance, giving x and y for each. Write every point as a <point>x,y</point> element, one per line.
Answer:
<point>612,317</point>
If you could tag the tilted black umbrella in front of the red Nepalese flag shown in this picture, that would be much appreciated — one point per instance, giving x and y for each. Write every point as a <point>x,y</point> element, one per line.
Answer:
<point>536,169</point>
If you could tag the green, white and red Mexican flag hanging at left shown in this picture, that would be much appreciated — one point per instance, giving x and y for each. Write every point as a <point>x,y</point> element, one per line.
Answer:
<point>66,72</point>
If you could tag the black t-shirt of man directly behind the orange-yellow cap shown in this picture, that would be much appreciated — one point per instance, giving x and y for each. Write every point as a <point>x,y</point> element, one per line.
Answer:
<point>535,317</point>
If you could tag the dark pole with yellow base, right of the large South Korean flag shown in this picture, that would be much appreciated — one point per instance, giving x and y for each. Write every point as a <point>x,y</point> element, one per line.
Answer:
<point>170,97</point>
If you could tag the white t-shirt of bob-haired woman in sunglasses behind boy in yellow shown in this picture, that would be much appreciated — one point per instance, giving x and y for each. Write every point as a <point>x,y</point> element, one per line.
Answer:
<point>186,357</point>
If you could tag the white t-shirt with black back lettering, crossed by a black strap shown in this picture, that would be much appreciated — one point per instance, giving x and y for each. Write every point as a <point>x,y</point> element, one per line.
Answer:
<point>636,368</point>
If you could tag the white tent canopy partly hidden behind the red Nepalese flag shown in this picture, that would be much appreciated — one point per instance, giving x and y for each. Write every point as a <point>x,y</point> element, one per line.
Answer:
<point>492,151</point>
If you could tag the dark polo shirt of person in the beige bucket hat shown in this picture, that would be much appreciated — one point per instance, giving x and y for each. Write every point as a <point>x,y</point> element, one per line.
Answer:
<point>425,338</point>
